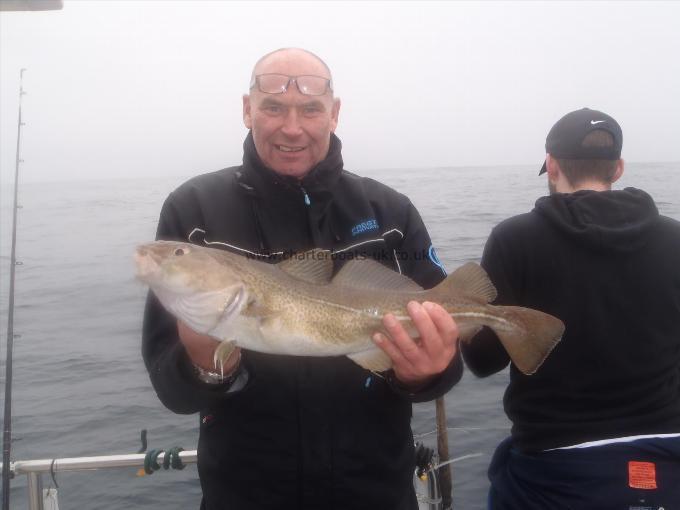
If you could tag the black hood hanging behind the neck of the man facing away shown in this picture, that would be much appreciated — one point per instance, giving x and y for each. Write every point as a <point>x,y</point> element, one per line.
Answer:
<point>619,221</point>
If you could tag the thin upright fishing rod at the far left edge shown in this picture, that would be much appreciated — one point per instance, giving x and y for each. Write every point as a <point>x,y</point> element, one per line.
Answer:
<point>7,430</point>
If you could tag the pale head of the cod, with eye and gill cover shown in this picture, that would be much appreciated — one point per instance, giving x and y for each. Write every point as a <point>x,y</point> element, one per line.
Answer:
<point>192,283</point>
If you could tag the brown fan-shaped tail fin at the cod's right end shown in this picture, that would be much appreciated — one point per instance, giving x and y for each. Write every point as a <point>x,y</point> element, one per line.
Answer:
<point>532,339</point>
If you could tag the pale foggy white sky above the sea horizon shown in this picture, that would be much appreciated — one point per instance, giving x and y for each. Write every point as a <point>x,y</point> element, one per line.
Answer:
<point>154,88</point>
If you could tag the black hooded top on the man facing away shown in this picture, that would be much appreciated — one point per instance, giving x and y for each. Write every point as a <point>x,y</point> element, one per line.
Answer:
<point>608,265</point>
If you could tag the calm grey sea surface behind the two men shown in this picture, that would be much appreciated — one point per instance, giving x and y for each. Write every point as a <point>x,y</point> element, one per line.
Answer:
<point>80,387</point>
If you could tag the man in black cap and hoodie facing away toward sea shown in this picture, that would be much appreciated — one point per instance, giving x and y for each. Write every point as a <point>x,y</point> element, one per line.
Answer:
<point>598,425</point>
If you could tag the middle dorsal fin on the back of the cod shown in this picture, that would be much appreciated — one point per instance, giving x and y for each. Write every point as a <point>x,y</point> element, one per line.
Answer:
<point>364,273</point>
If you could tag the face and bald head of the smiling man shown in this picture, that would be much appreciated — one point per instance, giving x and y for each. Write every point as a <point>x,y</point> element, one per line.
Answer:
<point>291,131</point>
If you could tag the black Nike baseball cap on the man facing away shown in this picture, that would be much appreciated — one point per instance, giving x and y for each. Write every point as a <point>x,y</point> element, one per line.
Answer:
<point>565,139</point>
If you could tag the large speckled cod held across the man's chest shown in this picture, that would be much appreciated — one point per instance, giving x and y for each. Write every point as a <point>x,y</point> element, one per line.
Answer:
<point>297,307</point>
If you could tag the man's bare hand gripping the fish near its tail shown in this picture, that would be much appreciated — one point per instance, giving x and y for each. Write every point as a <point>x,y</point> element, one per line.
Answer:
<point>418,361</point>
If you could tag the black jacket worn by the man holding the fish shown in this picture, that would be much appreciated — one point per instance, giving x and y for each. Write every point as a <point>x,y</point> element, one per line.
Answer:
<point>305,432</point>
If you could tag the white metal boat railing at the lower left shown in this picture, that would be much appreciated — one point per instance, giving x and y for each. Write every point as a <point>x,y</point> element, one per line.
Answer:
<point>34,469</point>
